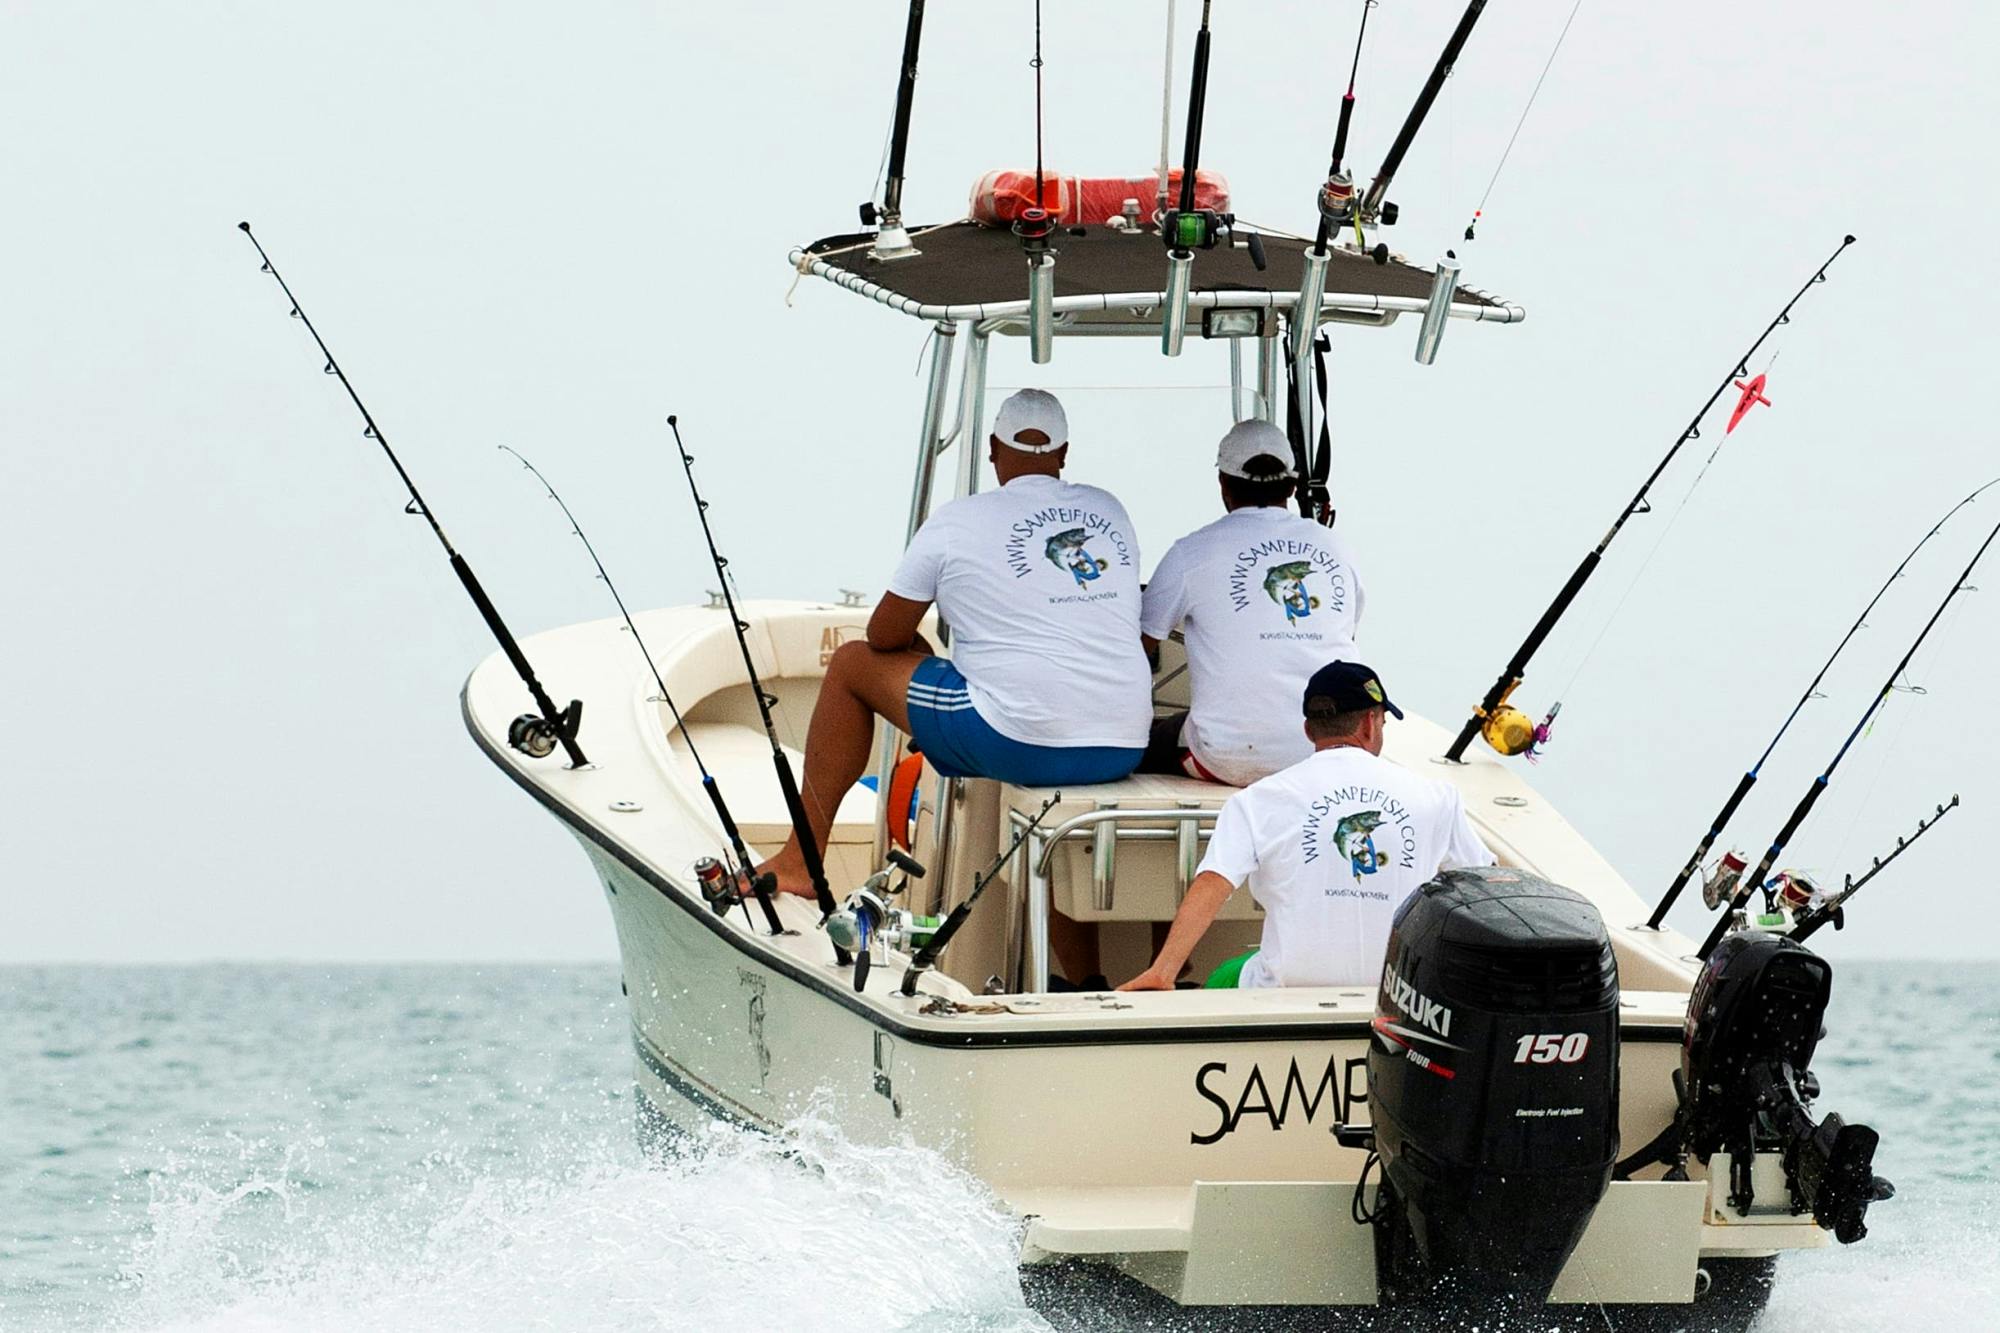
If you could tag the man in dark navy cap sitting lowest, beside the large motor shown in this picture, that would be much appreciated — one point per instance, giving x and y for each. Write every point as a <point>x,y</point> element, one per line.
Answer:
<point>1329,848</point>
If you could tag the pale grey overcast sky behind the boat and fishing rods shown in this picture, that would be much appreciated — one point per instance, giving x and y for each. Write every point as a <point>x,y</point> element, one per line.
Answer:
<point>231,665</point>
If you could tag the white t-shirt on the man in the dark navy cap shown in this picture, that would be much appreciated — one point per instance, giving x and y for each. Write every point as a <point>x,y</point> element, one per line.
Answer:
<point>1331,850</point>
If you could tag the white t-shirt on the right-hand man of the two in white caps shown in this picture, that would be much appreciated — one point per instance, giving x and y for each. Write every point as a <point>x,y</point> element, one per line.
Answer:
<point>1267,599</point>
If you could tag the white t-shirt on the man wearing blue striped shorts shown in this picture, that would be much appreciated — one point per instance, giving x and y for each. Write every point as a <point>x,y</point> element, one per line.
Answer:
<point>1039,583</point>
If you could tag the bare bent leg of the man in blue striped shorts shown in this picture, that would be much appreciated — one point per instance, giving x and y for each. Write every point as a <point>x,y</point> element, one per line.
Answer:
<point>861,686</point>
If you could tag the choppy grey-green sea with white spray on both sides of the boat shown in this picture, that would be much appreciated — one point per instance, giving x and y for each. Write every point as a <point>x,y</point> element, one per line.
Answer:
<point>287,1150</point>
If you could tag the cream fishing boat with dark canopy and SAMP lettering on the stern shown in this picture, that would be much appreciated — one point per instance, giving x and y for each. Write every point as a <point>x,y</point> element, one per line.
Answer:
<point>1545,1096</point>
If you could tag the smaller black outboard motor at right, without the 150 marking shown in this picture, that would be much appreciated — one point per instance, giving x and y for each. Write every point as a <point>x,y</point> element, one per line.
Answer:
<point>1753,1024</point>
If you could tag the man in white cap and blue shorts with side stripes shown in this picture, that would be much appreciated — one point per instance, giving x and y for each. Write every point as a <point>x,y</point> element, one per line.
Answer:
<point>1047,684</point>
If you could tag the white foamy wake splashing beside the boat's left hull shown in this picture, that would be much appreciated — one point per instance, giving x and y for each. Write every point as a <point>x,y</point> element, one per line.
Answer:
<point>733,1232</point>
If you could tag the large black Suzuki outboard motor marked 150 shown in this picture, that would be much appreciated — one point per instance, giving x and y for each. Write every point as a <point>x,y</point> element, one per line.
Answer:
<point>1493,1080</point>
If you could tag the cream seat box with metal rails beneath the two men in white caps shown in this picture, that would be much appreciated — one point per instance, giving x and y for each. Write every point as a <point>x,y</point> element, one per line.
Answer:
<point>1145,884</point>
